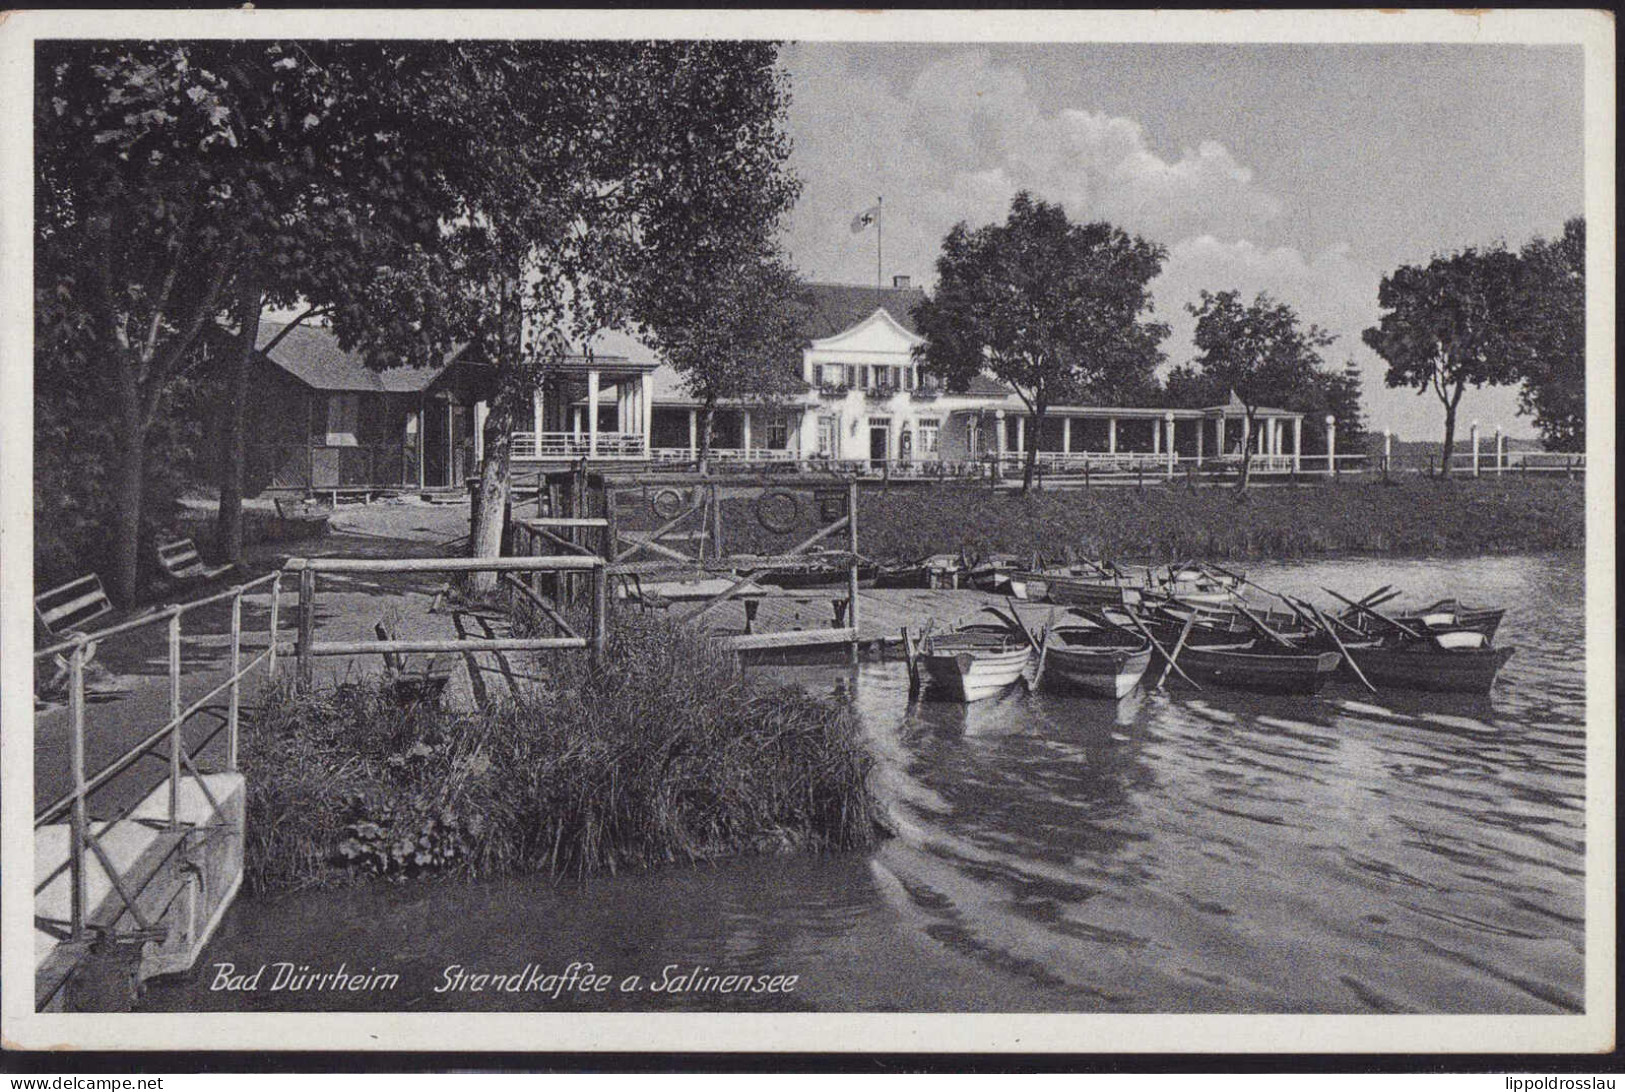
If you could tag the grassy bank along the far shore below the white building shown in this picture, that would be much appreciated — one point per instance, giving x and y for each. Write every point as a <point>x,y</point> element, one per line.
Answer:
<point>1406,518</point>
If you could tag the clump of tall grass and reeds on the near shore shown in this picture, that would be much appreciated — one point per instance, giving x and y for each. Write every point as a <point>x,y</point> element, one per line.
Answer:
<point>667,755</point>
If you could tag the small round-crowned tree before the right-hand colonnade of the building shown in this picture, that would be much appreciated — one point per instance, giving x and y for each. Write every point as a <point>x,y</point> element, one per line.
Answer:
<point>1260,352</point>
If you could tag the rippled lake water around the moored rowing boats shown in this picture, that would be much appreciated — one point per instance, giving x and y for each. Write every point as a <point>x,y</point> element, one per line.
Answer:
<point>1171,854</point>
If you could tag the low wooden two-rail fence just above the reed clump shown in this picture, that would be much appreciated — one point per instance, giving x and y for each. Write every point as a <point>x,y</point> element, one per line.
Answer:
<point>308,570</point>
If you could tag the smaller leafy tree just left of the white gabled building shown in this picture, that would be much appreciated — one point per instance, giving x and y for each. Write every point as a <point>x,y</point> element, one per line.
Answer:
<point>735,336</point>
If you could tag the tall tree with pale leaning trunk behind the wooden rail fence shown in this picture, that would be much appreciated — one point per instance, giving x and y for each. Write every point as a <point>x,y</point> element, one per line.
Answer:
<point>584,173</point>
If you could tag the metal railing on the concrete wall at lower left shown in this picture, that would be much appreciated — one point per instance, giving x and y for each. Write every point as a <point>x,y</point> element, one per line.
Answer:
<point>77,800</point>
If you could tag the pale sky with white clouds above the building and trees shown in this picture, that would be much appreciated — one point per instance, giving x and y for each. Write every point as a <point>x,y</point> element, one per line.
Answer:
<point>1304,171</point>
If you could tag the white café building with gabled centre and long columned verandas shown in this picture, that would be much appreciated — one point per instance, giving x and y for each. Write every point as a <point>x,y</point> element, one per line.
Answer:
<point>864,405</point>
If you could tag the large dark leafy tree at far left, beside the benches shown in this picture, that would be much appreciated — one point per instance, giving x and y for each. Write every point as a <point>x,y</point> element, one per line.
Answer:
<point>167,173</point>
